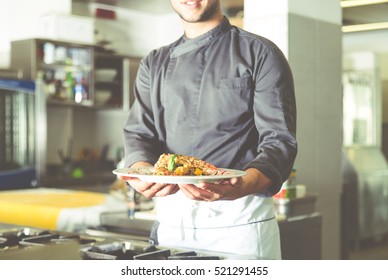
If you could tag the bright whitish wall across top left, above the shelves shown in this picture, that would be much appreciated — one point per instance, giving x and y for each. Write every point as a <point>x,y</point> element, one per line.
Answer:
<point>132,33</point>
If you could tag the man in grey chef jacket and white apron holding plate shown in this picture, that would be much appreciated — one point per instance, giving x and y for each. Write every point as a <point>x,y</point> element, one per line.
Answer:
<point>225,96</point>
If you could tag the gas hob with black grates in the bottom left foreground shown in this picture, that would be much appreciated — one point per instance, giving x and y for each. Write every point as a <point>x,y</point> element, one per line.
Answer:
<point>25,243</point>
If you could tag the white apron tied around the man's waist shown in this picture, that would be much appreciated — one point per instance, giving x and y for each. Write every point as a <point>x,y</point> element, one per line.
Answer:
<point>245,227</point>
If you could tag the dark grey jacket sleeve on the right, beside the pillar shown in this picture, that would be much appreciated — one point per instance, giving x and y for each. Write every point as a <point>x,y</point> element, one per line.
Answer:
<point>275,118</point>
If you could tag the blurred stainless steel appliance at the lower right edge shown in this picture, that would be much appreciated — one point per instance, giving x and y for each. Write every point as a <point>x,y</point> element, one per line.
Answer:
<point>365,194</point>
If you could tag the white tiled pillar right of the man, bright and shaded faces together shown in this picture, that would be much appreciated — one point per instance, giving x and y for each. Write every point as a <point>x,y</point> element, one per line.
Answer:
<point>314,50</point>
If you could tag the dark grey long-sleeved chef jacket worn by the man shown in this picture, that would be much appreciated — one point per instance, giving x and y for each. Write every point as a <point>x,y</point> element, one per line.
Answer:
<point>226,97</point>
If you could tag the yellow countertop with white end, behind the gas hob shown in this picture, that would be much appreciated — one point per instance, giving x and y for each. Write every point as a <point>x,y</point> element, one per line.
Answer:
<point>56,209</point>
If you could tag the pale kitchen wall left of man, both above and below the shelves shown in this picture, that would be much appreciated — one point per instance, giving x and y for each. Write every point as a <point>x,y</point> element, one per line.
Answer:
<point>132,33</point>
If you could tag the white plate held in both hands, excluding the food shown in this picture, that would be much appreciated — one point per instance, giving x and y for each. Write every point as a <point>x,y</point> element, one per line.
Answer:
<point>145,174</point>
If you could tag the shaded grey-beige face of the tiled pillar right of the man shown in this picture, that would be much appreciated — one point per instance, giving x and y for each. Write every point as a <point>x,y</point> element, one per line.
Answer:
<point>319,118</point>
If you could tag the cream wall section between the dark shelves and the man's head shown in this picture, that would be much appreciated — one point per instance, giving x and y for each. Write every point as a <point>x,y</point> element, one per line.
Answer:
<point>132,32</point>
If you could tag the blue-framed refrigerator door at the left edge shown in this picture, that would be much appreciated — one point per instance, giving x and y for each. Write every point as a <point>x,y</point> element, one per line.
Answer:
<point>17,134</point>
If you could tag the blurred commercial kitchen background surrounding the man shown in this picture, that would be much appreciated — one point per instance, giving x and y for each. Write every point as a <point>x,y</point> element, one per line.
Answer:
<point>66,90</point>
